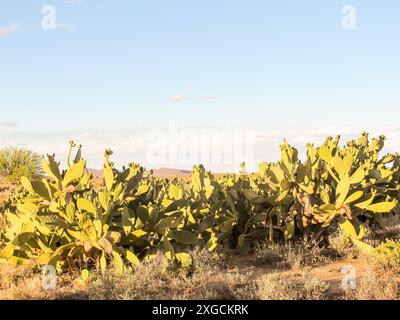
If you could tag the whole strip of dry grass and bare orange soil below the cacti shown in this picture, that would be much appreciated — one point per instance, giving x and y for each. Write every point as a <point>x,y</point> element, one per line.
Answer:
<point>303,270</point>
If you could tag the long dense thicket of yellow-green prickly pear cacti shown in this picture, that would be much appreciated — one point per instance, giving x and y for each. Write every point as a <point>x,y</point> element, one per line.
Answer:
<point>64,221</point>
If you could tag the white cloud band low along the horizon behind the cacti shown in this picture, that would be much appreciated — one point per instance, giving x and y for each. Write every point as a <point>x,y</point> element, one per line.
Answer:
<point>134,146</point>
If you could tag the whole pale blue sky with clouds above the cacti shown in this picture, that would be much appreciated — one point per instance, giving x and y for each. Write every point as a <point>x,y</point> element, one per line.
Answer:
<point>154,79</point>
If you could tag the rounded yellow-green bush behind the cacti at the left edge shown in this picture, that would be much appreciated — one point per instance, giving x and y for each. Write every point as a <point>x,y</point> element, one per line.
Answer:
<point>16,163</point>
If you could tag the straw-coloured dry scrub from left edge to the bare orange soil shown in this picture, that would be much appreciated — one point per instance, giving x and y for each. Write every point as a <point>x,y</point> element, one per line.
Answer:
<point>208,278</point>
